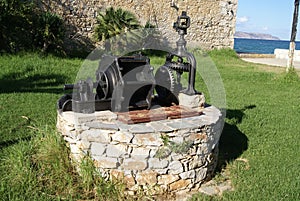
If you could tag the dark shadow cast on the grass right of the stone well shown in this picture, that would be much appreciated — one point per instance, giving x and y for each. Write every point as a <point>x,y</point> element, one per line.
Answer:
<point>232,141</point>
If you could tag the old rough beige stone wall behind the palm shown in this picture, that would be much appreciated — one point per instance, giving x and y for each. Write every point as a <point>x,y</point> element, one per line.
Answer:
<point>212,21</point>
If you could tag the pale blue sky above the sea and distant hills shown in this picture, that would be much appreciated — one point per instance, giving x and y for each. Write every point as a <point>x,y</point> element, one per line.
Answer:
<point>267,16</point>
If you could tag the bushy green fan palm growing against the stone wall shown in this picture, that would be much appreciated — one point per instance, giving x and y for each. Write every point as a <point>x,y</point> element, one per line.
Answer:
<point>113,23</point>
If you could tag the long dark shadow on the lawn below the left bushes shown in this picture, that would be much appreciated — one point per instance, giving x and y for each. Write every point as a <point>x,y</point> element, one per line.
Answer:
<point>38,83</point>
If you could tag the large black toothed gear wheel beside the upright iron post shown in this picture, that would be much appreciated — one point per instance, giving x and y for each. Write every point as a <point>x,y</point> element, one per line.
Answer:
<point>165,86</point>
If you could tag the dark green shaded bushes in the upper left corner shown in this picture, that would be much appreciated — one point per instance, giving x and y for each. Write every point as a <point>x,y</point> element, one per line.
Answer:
<point>24,26</point>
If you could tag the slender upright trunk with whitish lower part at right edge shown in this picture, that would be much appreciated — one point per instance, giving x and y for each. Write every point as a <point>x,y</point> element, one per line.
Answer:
<point>293,37</point>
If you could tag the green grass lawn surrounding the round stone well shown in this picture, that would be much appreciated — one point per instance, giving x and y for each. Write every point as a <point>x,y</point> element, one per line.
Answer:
<point>259,147</point>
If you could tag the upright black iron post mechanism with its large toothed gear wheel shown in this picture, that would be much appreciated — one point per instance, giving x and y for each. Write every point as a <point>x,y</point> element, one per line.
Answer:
<point>169,75</point>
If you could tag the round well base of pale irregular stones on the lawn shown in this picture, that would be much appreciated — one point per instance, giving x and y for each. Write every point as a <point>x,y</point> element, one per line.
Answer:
<point>170,155</point>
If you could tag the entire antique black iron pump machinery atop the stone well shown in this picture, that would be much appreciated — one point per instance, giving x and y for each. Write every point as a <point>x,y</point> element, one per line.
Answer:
<point>125,83</point>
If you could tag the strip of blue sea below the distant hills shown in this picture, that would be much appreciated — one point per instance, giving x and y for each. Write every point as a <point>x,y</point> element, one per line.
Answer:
<point>260,46</point>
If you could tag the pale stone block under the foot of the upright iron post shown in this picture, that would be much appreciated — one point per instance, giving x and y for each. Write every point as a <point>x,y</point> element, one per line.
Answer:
<point>193,101</point>
